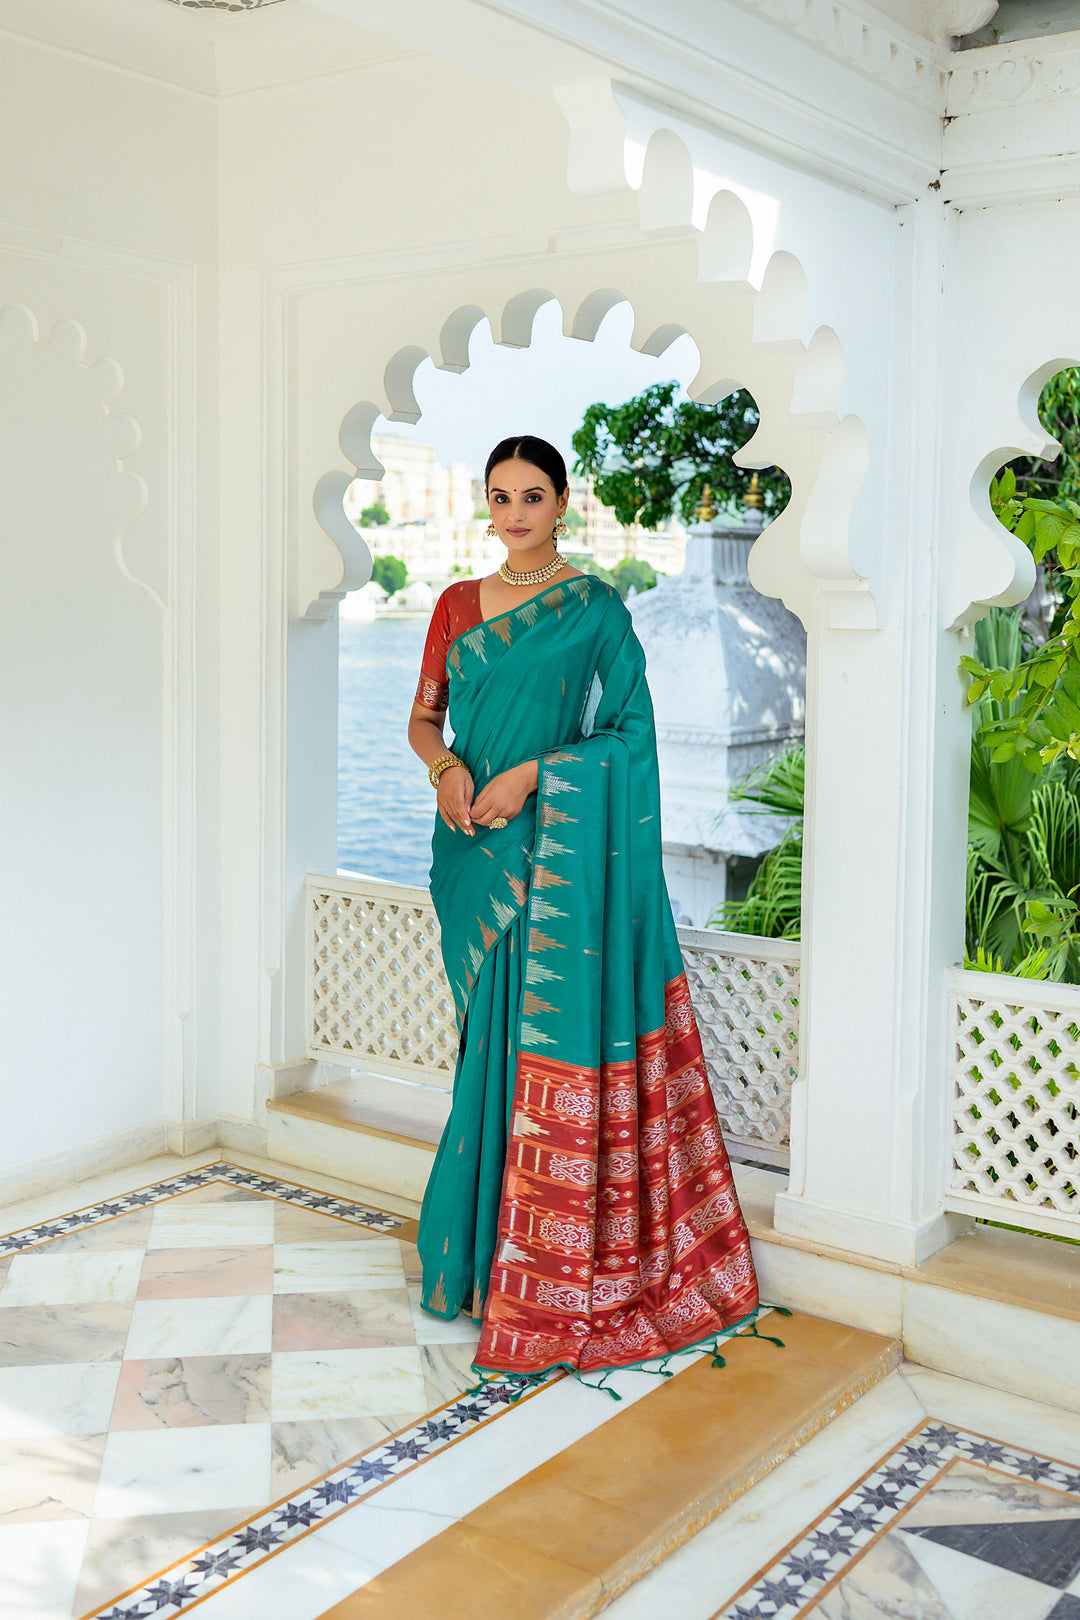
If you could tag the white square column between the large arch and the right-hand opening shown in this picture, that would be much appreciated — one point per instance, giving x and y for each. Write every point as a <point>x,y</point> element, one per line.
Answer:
<point>887,835</point>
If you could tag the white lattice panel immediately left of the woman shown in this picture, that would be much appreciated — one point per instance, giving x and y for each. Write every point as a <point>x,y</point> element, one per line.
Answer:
<point>378,987</point>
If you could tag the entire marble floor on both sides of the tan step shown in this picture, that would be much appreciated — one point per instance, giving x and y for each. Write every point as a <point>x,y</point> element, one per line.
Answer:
<point>218,1391</point>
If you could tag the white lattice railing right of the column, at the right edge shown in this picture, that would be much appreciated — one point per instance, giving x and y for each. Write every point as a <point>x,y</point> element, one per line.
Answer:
<point>1016,1101</point>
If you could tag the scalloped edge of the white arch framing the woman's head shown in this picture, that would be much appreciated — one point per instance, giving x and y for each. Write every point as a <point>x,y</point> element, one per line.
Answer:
<point>750,338</point>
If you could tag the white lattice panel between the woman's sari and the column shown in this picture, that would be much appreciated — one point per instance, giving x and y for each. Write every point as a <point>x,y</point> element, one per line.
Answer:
<point>746,995</point>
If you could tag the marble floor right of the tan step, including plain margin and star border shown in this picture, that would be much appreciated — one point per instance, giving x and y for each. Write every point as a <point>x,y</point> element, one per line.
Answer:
<point>971,1516</point>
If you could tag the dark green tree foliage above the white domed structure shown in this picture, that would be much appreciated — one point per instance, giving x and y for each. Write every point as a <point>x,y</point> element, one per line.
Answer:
<point>653,458</point>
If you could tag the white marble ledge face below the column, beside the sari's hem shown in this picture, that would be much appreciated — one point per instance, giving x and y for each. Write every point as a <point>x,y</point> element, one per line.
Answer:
<point>820,1285</point>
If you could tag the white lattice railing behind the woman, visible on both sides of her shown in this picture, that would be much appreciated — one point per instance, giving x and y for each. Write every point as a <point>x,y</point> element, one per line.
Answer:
<point>378,1000</point>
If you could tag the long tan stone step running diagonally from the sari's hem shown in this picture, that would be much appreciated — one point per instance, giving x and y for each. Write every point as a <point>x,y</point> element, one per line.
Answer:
<point>571,1535</point>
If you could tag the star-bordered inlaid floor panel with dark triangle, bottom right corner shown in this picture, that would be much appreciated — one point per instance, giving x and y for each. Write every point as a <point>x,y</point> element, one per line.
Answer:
<point>950,1527</point>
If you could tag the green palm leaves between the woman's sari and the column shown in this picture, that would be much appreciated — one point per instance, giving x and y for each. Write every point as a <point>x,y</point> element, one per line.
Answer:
<point>773,905</point>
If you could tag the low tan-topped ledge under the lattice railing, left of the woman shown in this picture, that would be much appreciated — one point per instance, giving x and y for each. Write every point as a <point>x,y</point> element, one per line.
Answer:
<point>376,1132</point>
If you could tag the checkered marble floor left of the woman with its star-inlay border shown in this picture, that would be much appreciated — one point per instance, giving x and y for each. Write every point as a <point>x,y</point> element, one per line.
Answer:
<point>176,1360</point>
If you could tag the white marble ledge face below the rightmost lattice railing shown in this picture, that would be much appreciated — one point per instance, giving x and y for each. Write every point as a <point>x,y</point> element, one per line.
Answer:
<point>992,1342</point>
